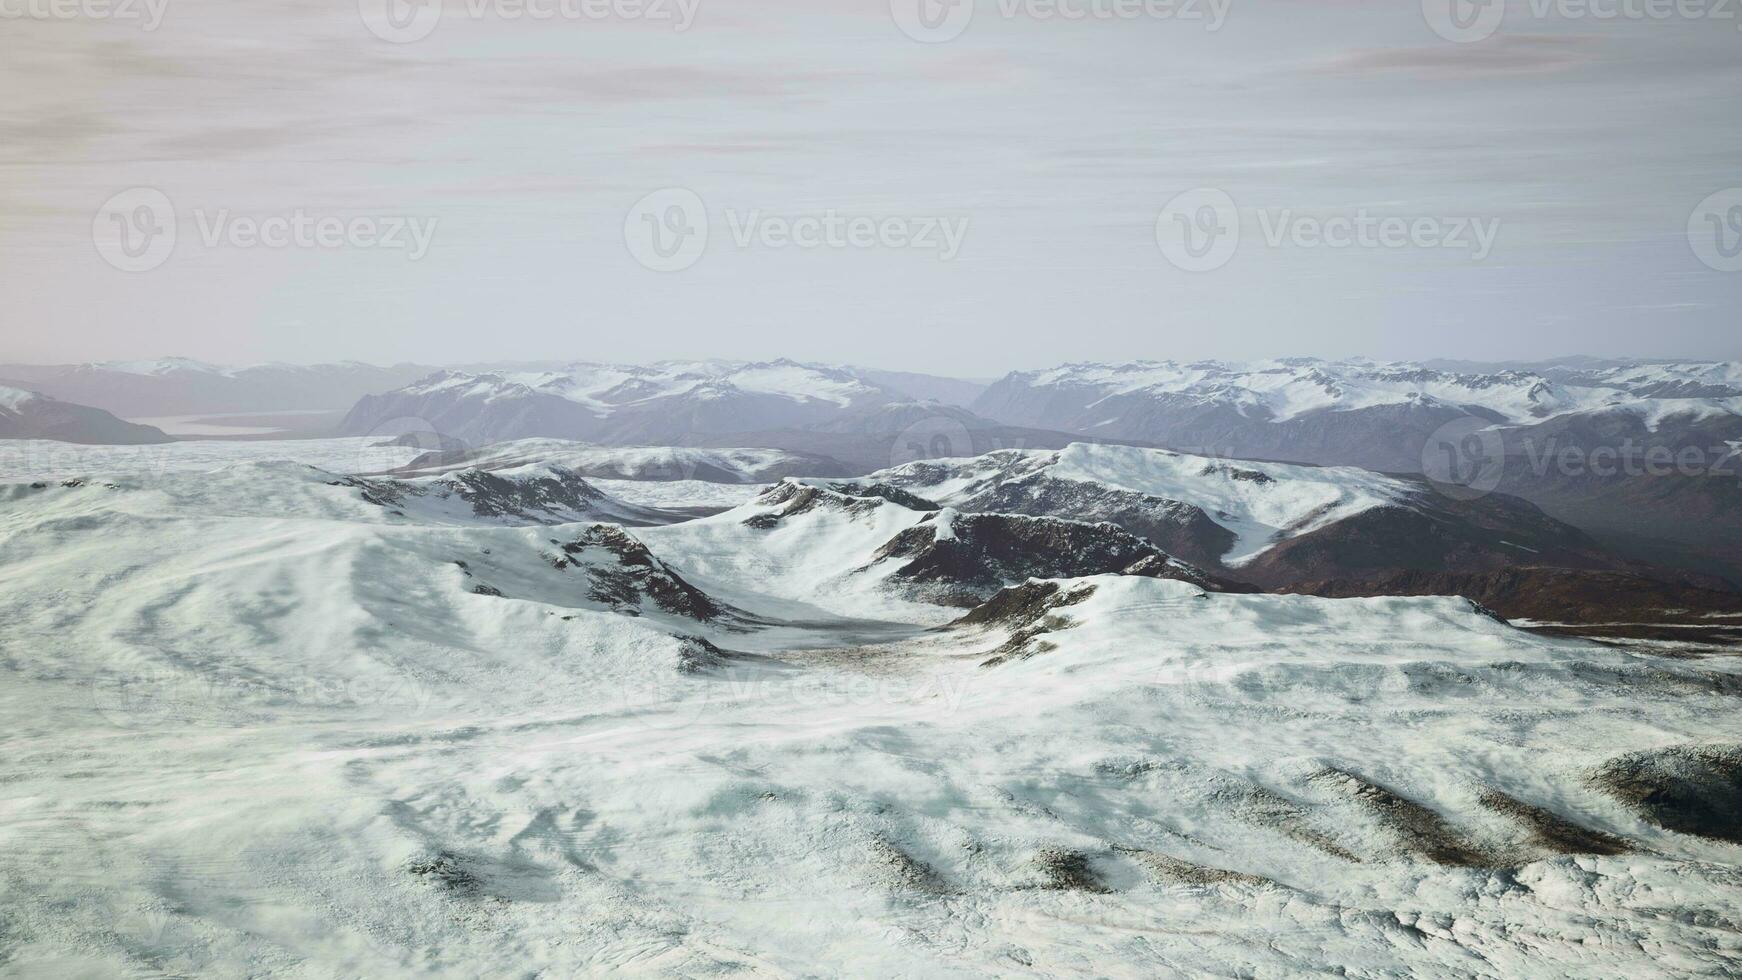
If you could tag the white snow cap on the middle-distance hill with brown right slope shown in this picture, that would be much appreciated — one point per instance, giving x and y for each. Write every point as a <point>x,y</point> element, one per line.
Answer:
<point>1260,502</point>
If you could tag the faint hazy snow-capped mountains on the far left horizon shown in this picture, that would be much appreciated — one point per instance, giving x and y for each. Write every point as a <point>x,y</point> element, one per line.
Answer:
<point>177,386</point>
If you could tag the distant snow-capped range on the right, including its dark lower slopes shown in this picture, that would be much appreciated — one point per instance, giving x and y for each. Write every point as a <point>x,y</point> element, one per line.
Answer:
<point>1541,431</point>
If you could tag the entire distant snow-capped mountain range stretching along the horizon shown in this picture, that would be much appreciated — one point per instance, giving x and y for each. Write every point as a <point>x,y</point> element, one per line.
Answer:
<point>1640,453</point>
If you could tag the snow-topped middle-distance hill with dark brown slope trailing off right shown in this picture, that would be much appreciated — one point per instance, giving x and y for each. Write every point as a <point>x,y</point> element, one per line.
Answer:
<point>1328,530</point>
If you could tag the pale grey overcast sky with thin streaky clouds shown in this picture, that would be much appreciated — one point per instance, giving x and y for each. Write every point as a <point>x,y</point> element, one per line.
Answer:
<point>1586,145</point>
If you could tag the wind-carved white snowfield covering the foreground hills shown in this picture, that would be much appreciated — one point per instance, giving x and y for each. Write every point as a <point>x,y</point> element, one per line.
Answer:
<point>259,725</point>
